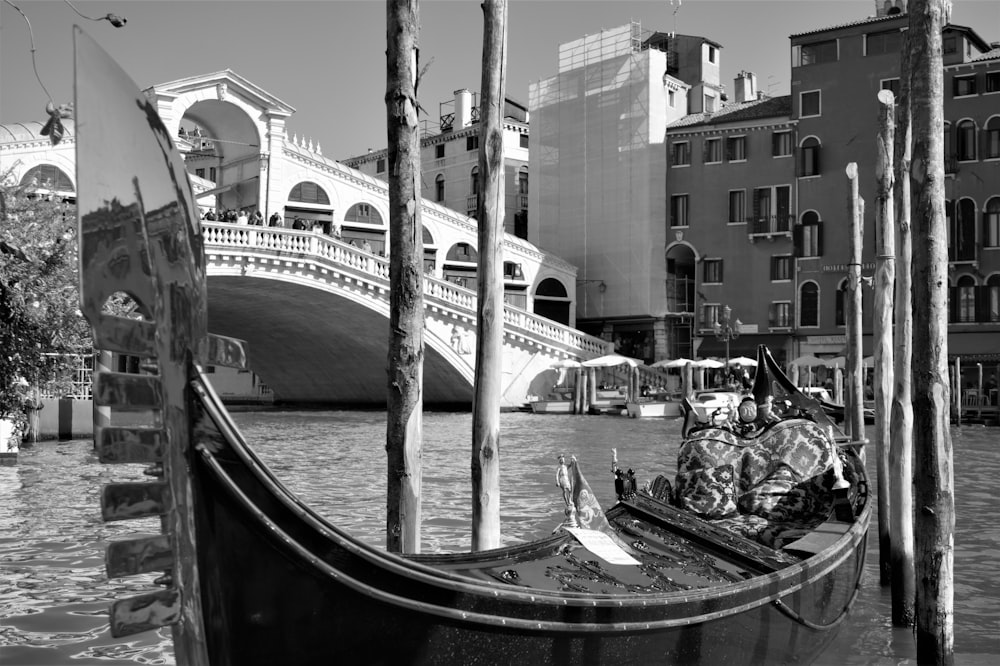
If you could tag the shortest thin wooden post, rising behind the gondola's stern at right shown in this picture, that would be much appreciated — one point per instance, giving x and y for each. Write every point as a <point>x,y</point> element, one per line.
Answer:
<point>854,404</point>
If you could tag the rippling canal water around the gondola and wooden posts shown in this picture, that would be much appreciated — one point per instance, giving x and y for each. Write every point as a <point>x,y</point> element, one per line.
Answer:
<point>54,593</point>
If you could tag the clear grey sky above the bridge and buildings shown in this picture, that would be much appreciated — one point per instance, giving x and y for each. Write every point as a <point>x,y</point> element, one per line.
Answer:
<point>326,58</point>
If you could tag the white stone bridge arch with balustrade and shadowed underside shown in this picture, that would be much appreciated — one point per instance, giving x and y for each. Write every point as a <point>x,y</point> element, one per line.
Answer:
<point>315,314</point>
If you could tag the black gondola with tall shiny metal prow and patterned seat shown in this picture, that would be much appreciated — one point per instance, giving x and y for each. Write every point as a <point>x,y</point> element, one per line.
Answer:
<point>251,575</point>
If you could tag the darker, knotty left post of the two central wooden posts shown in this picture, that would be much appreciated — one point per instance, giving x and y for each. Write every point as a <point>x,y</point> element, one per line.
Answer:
<point>404,430</point>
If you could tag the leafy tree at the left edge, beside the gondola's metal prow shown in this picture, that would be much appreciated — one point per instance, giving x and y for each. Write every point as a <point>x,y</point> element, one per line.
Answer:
<point>40,321</point>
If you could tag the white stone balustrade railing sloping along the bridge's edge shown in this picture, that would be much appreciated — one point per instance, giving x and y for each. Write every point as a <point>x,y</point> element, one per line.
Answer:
<point>320,246</point>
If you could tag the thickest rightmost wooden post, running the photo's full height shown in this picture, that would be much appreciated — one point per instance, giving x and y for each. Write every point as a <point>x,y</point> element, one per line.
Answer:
<point>934,498</point>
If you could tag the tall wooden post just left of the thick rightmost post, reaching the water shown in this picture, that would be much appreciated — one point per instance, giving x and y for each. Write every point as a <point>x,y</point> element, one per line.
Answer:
<point>901,447</point>
